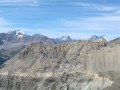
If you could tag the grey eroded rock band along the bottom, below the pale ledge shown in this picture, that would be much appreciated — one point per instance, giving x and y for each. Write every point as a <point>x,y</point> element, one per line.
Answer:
<point>53,81</point>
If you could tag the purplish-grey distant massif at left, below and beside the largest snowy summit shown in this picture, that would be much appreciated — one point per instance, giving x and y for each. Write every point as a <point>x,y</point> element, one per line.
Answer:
<point>17,37</point>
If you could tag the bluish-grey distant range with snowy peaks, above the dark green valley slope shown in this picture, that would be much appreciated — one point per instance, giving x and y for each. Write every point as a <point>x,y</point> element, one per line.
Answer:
<point>18,38</point>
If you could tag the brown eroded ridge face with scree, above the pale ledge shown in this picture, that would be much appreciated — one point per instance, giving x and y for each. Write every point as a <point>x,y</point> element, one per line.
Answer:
<point>89,55</point>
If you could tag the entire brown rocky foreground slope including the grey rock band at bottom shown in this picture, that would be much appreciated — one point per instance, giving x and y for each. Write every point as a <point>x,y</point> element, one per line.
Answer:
<point>66,66</point>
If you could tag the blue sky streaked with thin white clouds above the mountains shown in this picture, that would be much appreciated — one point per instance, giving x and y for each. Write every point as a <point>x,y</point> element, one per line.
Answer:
<point>79,19</point>
